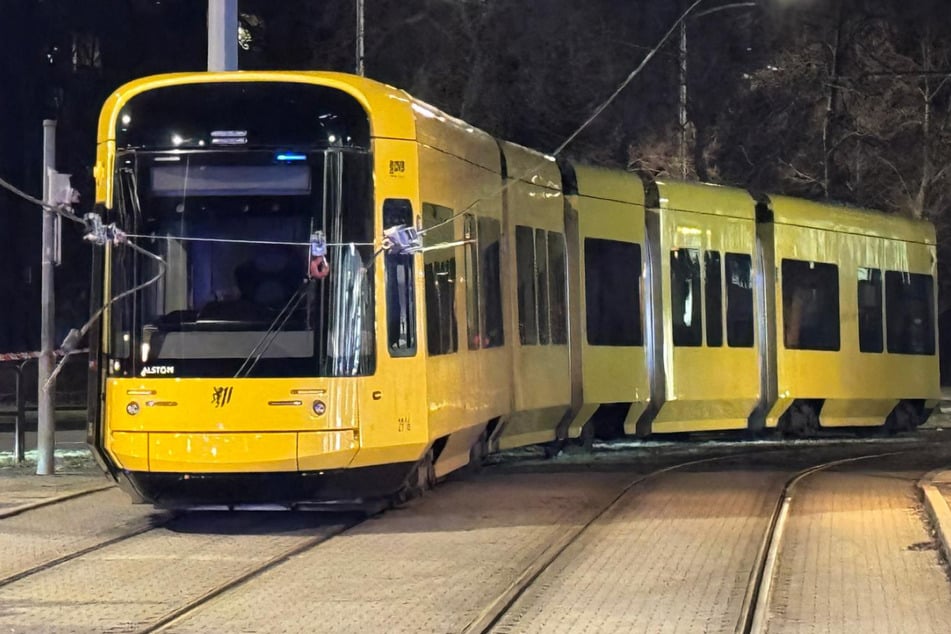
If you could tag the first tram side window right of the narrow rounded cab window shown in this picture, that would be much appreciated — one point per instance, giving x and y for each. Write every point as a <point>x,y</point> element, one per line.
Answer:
<point>440,273</point>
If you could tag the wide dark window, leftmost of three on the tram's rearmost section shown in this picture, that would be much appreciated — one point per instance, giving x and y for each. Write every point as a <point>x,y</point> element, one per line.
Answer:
<point>810,305</point>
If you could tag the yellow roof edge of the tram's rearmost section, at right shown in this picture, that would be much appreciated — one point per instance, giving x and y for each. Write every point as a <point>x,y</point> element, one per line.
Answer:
<point>842,219</point>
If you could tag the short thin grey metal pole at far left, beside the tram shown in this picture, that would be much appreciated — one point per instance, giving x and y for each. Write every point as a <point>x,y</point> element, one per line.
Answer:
<point>46,413</point>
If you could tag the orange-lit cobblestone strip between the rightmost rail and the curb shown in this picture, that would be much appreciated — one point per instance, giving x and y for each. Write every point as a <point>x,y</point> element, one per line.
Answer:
<point>858,557</point>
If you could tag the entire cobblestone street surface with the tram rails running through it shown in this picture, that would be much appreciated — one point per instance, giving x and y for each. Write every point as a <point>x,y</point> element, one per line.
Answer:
<point>674,555</point>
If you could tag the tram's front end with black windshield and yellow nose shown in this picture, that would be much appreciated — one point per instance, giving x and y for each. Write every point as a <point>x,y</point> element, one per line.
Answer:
<point>230,366</point>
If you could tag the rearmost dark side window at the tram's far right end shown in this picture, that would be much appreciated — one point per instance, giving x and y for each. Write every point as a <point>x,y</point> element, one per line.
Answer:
<point>909,311</point>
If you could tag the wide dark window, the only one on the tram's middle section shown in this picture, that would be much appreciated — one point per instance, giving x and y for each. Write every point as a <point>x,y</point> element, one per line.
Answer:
<point>612,278</point>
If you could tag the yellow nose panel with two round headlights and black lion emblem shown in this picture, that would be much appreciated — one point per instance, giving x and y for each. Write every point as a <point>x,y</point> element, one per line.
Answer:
<point>190,405</point>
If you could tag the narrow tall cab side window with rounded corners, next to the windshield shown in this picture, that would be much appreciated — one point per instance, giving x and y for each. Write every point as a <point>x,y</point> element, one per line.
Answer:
<point>400,288</point>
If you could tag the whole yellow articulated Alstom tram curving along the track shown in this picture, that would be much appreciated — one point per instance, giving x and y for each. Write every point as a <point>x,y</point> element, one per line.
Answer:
<point>284,352</point>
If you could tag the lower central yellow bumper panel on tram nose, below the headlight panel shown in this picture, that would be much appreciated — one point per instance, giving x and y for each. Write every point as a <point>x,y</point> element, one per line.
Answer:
<point>222,453</point>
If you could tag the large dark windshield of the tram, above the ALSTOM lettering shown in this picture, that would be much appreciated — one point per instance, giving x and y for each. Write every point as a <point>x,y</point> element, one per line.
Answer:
<point>234,230</point>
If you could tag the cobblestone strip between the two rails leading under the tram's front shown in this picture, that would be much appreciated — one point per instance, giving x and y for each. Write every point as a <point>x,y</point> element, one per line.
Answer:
<point>129,585</point>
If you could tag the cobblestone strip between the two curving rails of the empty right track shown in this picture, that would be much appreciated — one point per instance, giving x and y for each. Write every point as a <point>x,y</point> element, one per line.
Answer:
<point>674,556</point>
